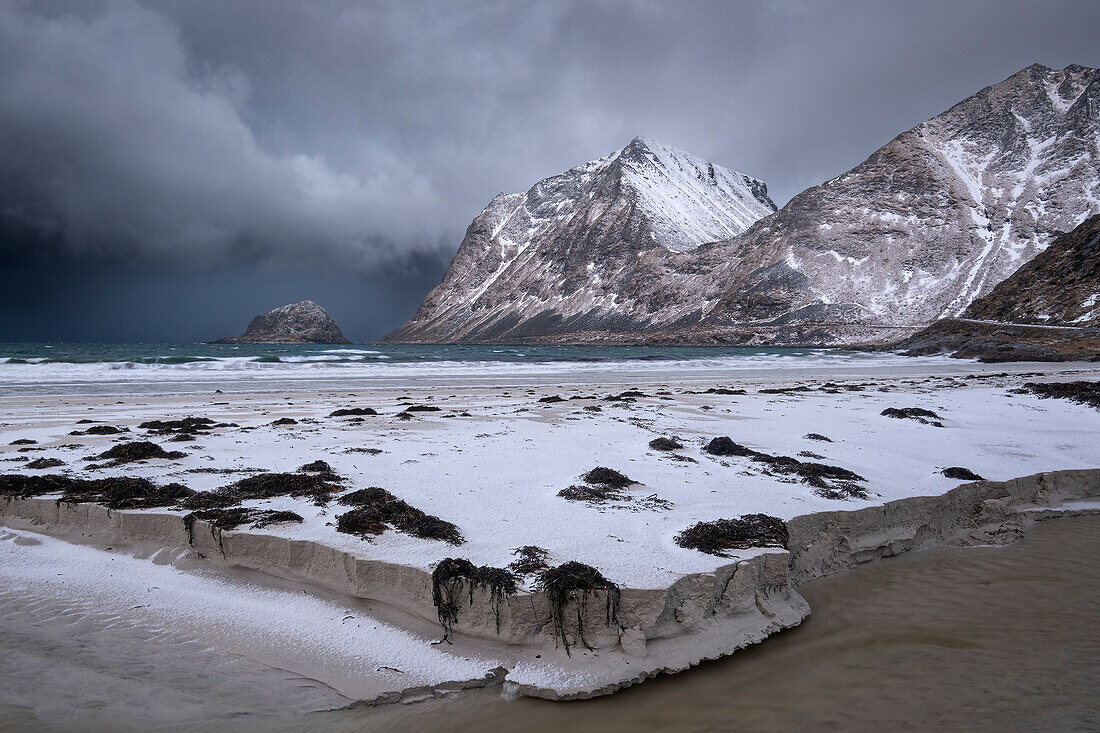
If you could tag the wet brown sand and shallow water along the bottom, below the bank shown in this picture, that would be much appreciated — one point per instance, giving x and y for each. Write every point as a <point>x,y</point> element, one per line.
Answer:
<point>982,639</point>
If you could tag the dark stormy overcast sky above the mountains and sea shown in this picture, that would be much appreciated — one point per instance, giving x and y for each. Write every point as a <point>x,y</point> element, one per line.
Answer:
<point>169,170</point>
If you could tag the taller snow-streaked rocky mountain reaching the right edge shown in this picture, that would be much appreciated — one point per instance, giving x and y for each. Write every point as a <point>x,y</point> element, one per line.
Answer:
<point>938,216</point>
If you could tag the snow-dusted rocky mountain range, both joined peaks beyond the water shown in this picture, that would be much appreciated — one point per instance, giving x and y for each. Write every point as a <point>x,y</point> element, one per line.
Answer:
<point>632,248</point>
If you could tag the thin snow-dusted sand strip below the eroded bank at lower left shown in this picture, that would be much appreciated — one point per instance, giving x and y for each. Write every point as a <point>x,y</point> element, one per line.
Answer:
<point>320,640</point>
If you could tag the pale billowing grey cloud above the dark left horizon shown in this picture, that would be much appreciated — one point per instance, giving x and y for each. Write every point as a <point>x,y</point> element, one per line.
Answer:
<point>122,143</point>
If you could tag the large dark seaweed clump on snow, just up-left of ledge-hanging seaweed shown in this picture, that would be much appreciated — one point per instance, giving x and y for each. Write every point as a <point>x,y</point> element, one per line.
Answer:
<point>377,510</point>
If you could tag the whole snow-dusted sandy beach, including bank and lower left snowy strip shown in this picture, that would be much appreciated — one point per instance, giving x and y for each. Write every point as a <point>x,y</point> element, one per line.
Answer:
<point>497,460</point>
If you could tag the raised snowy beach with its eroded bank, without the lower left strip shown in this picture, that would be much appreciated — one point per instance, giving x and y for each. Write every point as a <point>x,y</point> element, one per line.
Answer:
<point>697,607</point>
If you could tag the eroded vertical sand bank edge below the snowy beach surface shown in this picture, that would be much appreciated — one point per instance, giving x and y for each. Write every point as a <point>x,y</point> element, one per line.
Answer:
<point>700,617</point>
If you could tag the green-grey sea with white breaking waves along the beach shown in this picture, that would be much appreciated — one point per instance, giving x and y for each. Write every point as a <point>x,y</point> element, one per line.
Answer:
<point>37,369</point>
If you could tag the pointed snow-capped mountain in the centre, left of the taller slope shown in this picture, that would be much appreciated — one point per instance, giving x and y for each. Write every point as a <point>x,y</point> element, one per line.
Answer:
<point>567,256</point>
